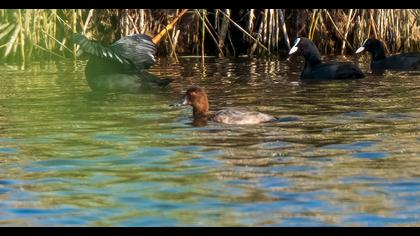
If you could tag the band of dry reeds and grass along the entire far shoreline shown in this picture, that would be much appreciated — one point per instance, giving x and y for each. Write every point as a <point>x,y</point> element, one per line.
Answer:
<point>39,34</point>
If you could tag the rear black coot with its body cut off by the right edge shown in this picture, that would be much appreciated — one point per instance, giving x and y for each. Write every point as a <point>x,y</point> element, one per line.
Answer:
<point>380,62</point>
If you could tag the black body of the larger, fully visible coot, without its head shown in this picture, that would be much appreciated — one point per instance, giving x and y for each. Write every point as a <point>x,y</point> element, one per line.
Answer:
<point>342,70</point>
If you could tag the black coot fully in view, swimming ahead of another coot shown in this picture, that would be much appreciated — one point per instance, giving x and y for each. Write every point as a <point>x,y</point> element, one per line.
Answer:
<point>315,69</point>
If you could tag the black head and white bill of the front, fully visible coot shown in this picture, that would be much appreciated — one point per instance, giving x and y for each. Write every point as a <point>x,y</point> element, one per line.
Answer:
<point>306,48</point>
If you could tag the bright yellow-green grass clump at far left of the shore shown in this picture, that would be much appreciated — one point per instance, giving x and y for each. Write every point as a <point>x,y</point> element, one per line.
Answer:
<point>37,33</point>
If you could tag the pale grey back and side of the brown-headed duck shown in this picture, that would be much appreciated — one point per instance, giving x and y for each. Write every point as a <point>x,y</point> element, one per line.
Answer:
<point>240,116</point>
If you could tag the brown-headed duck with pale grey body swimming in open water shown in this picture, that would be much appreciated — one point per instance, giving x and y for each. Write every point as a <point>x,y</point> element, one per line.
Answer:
<point>197,98</point>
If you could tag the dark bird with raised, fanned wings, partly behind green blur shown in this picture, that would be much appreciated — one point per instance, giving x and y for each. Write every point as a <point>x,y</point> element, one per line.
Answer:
<point>121,66</point>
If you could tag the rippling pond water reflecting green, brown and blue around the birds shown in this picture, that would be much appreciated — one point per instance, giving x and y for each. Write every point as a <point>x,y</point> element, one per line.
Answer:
<point>346,154</point>
